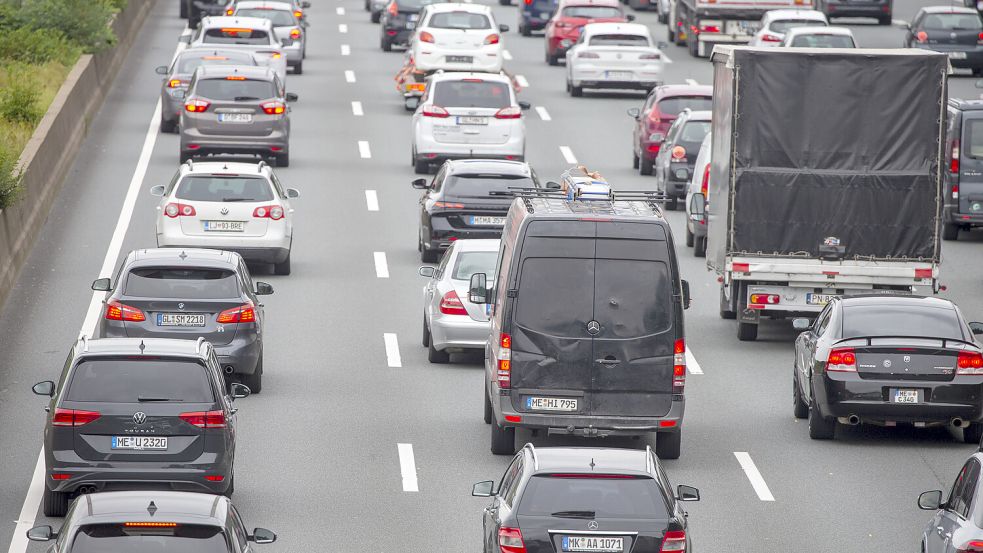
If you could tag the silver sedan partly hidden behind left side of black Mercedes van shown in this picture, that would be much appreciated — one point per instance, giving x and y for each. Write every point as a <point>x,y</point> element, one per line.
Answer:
<point>450,321</point>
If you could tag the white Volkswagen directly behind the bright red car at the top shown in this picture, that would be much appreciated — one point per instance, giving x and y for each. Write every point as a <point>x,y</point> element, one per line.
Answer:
<point>614,55</point>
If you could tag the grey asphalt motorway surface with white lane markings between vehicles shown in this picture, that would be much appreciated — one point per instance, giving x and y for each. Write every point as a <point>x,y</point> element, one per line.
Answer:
<point>357,443</point>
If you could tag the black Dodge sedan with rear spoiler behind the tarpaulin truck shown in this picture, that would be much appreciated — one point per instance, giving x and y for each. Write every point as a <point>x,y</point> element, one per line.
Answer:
<point>889,359</point>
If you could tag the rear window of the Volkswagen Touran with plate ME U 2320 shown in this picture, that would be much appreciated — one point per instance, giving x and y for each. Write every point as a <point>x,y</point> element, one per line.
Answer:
<point>127,380</point>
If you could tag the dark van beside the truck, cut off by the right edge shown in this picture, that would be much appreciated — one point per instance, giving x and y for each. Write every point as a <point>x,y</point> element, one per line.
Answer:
<point>963,190</point>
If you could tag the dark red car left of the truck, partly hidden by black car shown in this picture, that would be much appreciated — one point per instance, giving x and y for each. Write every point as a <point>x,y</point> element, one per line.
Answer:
<point>653,120</point>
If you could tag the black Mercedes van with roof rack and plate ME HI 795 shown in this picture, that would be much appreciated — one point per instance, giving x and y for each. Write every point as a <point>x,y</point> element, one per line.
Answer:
<point>587,323</point>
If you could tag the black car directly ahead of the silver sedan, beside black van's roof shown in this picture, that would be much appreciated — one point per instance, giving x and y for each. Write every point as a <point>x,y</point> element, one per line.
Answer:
<point>468,198</point>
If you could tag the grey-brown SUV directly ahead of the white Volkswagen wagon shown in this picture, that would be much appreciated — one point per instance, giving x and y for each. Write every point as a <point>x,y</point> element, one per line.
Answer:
<point>236,110</point>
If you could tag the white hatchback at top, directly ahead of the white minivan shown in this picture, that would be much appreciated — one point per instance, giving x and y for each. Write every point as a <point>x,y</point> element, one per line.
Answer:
<point>457,37</point>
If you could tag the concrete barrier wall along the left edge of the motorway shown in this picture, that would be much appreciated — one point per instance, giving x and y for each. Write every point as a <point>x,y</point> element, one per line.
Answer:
<point>53,146</point>
